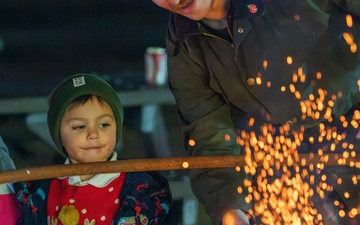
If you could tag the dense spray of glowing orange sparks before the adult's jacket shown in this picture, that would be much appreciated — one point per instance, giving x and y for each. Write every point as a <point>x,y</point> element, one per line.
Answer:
<point>286,199</point>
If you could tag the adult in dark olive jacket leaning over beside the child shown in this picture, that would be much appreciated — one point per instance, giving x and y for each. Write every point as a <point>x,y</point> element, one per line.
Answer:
<point>232,60</point>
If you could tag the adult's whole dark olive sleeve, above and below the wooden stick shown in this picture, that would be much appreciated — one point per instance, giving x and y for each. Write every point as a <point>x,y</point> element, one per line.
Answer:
<point>207,129</point>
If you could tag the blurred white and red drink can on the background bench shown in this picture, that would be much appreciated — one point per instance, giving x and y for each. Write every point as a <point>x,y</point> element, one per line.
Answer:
<point>156,66</point>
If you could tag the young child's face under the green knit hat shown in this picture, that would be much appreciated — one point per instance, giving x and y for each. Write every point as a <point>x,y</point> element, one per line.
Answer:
<point>88,132</point>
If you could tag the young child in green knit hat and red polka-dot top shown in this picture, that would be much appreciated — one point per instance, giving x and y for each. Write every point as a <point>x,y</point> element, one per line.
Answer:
<point>85,122</point>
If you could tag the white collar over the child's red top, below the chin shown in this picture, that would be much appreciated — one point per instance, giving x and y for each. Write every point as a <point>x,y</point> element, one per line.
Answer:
<point>98,180</point>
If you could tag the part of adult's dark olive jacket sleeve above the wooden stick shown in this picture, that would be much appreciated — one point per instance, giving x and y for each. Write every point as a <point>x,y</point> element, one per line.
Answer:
<point>203,112</point>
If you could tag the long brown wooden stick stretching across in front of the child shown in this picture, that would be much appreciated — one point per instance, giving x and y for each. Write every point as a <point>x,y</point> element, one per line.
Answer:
<point>153,164</point>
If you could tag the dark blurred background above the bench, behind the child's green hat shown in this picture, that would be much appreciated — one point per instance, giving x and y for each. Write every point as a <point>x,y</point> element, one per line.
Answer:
<point>41,42</point>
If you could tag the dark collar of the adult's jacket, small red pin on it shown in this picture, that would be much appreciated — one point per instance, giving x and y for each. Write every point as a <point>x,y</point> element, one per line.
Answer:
<point>181,27</point>
